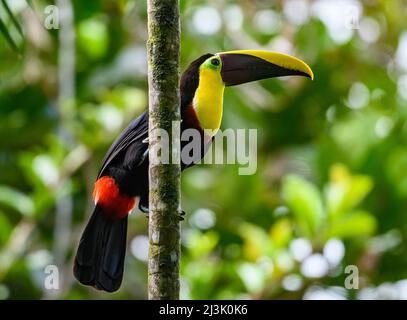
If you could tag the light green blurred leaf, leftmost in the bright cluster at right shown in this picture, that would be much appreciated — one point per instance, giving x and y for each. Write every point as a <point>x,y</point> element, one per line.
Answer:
<point>304,200</point>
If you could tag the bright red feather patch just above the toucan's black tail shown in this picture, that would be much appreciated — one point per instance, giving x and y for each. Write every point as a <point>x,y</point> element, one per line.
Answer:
<point>107,194</point>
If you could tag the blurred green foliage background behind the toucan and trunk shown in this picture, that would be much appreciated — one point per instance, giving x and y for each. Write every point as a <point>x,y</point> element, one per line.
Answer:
<point>331,185</point>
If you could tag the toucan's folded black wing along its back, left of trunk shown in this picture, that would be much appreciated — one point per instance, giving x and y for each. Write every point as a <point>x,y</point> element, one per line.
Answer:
<point>137,130</point>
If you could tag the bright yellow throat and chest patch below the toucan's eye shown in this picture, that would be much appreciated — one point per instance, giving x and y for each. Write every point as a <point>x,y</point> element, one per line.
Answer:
<point>208,100</point>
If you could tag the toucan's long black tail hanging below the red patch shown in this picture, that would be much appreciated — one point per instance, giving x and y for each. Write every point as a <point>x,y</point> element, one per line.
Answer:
<point>99,261</point>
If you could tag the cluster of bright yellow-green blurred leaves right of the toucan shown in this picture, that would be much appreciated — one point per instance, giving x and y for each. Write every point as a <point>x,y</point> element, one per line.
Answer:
<point>335,216</point>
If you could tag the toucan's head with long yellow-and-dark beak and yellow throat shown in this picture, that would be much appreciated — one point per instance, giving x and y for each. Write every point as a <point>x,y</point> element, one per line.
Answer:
<point>202,84</point>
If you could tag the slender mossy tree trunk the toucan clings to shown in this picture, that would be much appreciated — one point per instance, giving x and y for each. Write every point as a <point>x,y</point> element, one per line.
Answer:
<point>164,108</point>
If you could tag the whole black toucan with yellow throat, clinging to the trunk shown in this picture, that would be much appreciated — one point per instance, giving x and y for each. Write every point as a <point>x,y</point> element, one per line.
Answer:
<point>123,177</point>
